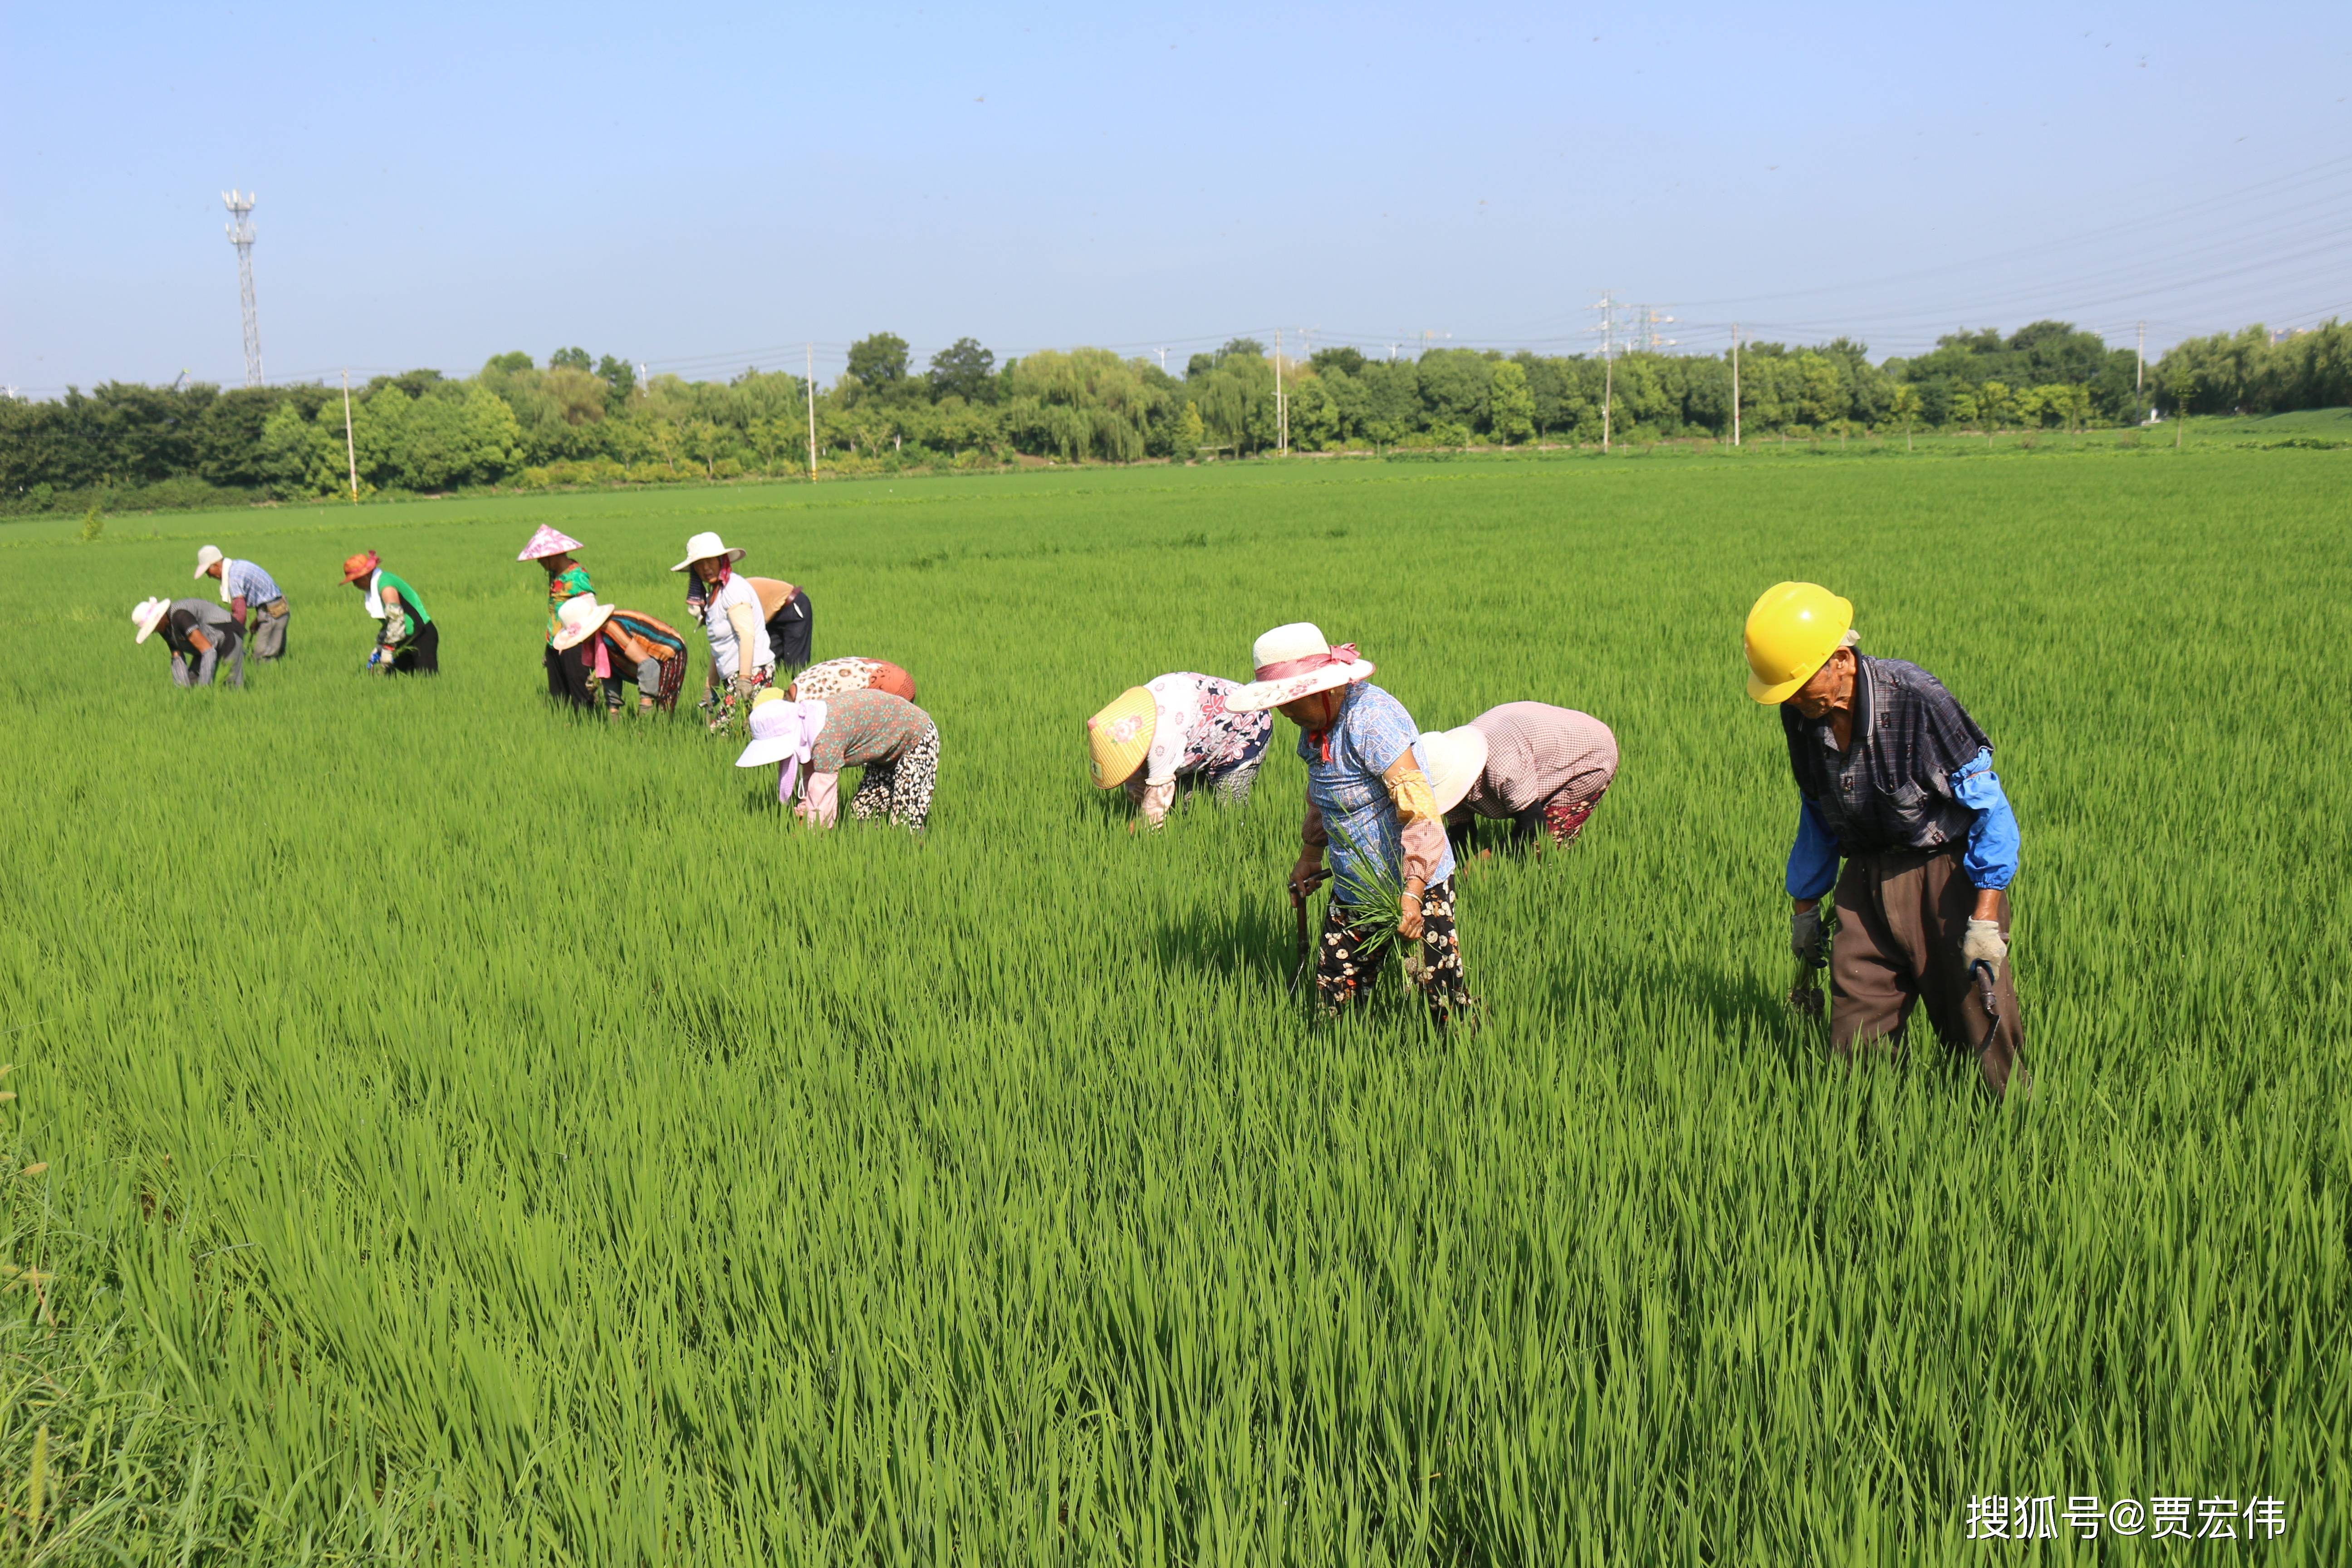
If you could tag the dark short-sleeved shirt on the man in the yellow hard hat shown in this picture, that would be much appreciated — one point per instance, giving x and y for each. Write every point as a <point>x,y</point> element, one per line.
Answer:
<point>1895,789</point>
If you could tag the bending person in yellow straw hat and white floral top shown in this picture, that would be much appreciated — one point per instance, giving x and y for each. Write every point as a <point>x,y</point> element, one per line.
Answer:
<point>1177,728</point>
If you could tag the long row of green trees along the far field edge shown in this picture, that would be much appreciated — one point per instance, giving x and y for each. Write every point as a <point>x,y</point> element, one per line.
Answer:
<point>589,420</point>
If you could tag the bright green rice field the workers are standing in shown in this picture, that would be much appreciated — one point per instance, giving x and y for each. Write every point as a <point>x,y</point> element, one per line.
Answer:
<point>450,1132</point>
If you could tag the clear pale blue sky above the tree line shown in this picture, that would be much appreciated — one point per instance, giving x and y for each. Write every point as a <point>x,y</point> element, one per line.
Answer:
<point>711,187</point>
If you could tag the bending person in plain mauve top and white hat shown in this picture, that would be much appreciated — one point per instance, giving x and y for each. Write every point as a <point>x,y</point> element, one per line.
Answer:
<point>1535,765</point>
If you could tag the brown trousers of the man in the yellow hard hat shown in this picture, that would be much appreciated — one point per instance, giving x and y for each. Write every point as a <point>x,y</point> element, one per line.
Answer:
<point>1899,925</point>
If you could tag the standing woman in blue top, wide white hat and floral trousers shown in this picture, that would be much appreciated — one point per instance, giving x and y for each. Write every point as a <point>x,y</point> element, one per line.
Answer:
<point>1370,805</point>
